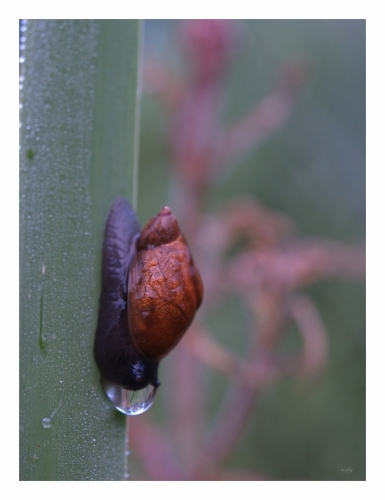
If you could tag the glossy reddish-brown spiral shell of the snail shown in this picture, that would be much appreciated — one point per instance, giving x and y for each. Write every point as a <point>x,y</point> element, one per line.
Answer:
<point>164,287</point>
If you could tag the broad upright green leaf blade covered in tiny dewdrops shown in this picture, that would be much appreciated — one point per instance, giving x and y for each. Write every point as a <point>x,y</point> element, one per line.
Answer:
<point>78,150</point>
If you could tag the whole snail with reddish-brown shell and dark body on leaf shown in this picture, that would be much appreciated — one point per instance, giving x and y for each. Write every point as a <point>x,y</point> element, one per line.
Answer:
<point>151,290</point>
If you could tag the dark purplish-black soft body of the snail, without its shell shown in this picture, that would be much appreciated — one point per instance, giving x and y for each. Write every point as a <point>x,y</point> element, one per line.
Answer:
<point>116,355</point>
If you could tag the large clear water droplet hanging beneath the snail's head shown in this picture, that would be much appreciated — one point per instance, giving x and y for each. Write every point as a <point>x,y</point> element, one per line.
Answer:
<point>130,402</point>
